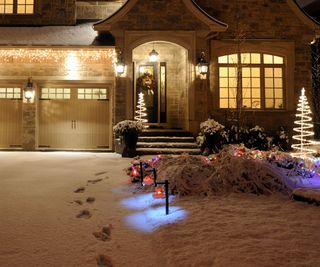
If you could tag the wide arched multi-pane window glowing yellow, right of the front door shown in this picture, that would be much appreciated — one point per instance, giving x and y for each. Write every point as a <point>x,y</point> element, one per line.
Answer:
<point>256,78</point>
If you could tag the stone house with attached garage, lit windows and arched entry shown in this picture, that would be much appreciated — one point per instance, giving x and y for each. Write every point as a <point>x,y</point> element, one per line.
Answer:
<point>59,88</point>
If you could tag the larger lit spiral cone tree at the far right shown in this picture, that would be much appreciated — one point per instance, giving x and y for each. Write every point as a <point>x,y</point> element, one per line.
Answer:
<point>304,129</point>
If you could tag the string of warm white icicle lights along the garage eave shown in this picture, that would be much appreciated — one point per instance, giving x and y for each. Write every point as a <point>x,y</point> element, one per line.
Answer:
<point>57,55</point>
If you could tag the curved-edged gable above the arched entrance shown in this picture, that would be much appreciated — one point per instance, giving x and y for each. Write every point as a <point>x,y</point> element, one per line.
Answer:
<point>161,15</point>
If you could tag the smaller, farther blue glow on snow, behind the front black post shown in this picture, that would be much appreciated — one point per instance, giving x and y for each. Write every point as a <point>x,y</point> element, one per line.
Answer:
<point>143,201</point>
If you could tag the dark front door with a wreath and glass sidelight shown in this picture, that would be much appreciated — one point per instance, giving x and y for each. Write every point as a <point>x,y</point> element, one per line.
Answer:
<point>151,81</point>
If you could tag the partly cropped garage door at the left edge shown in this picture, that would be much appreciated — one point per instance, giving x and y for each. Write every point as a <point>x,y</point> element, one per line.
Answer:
<point>10,117</point>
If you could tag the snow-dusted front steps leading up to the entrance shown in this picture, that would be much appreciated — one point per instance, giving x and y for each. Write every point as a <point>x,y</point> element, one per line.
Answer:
<point>166,141</point>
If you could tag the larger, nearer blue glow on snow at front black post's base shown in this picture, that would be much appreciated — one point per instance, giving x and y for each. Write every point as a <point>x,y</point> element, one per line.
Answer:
<point>150,219</point>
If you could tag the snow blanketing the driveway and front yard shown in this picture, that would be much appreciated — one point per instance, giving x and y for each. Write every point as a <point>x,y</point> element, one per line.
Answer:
<point>39,224</point>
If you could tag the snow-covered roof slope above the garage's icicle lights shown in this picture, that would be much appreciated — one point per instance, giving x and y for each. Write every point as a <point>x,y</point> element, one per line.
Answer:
<point>79,35</point>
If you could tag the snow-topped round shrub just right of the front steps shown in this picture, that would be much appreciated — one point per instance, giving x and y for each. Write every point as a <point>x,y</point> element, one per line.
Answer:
<point>212,136</point>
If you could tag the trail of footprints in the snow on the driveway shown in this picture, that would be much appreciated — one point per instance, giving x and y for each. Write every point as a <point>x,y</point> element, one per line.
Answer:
<point>105,233</point>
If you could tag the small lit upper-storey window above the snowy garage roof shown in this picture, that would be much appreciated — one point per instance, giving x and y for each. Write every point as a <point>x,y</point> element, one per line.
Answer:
<point>17,7</point>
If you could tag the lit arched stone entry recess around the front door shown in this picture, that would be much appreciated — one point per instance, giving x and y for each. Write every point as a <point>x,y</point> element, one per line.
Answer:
<point>163,83</point>
